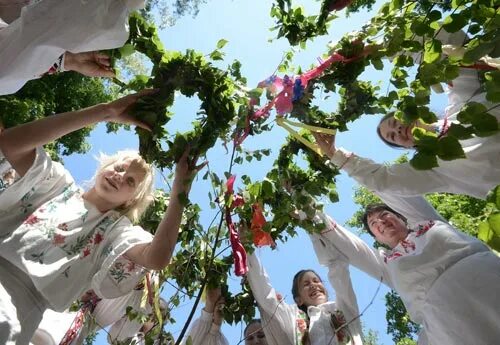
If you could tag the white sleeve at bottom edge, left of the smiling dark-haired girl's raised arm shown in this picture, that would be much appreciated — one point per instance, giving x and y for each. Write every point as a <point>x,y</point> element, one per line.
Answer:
<point>205,332</point>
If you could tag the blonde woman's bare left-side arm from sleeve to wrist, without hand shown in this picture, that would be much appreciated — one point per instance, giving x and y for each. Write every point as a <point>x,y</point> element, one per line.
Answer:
<point>18,143</point>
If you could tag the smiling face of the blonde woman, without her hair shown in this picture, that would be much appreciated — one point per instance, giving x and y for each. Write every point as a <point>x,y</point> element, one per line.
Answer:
<point>117,183</point>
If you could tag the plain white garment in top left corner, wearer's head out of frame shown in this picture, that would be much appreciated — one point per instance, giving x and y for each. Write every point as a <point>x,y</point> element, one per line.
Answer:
<point>31,44</point>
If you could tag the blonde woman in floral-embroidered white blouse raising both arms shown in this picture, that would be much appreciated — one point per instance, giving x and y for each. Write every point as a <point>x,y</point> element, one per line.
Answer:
<point>58,241</point>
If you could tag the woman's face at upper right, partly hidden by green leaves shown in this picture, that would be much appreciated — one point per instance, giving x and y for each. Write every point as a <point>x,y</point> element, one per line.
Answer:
<point>395,133</point>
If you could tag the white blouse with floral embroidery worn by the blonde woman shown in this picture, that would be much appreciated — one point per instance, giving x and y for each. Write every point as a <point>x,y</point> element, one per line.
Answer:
<point>54,247</point>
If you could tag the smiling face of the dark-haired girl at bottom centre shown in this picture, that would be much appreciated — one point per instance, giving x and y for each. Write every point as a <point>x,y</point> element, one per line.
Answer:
<point>311,290</point>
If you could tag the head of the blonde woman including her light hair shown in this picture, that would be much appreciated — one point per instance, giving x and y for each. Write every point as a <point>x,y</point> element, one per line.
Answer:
<point>125,181</point>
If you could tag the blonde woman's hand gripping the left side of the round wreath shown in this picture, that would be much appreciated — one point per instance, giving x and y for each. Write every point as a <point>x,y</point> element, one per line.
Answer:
<point>118,111</point>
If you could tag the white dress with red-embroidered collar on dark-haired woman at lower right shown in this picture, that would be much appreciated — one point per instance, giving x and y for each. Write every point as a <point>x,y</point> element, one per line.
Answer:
<point>447,280</point>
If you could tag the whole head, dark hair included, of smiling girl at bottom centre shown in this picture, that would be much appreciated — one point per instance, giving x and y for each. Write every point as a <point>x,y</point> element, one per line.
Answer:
<point>308,289</point>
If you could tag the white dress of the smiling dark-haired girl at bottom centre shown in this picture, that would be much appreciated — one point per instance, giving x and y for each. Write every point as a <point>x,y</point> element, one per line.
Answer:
<point>282,321</point>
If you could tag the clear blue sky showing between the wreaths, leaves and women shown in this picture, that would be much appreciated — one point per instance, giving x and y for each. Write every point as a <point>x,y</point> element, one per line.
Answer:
<point>245,25</point>
